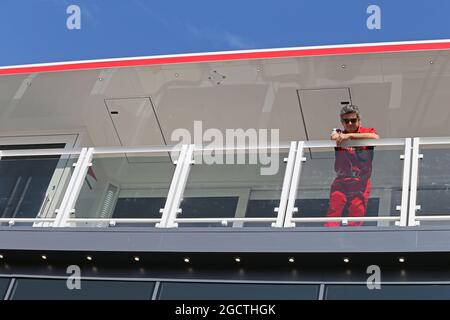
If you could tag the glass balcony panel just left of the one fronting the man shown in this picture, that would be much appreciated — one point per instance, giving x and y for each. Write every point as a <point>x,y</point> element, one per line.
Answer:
<point>228,188</point>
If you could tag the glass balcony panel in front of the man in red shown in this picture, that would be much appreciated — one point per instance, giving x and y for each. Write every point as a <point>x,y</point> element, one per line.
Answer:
<point>356,185</point>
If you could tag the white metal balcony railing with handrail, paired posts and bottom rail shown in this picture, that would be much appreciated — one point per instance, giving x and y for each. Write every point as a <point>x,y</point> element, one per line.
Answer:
<point>286,213</point>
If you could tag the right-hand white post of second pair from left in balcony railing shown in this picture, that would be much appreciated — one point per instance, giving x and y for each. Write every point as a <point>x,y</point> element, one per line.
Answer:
<point>175,209</point>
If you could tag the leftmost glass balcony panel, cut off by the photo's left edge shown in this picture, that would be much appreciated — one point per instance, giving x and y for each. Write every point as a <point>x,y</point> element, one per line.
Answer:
<point>32,187</point>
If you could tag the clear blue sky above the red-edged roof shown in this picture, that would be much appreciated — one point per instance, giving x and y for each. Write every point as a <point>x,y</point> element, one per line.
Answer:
<point>34,31</point>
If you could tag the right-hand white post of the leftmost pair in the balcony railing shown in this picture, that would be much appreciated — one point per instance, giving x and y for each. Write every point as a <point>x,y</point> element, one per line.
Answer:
<point>68,207</point>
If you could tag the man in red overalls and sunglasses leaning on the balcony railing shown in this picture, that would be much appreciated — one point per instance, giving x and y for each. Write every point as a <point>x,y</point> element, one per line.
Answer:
<point>353,166</point>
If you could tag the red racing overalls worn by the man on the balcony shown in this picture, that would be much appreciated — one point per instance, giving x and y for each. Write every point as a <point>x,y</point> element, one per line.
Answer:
<point>353,166</point>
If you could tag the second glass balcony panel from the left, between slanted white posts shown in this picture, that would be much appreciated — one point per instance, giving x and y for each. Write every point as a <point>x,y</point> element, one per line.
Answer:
<point>125,186</point>
